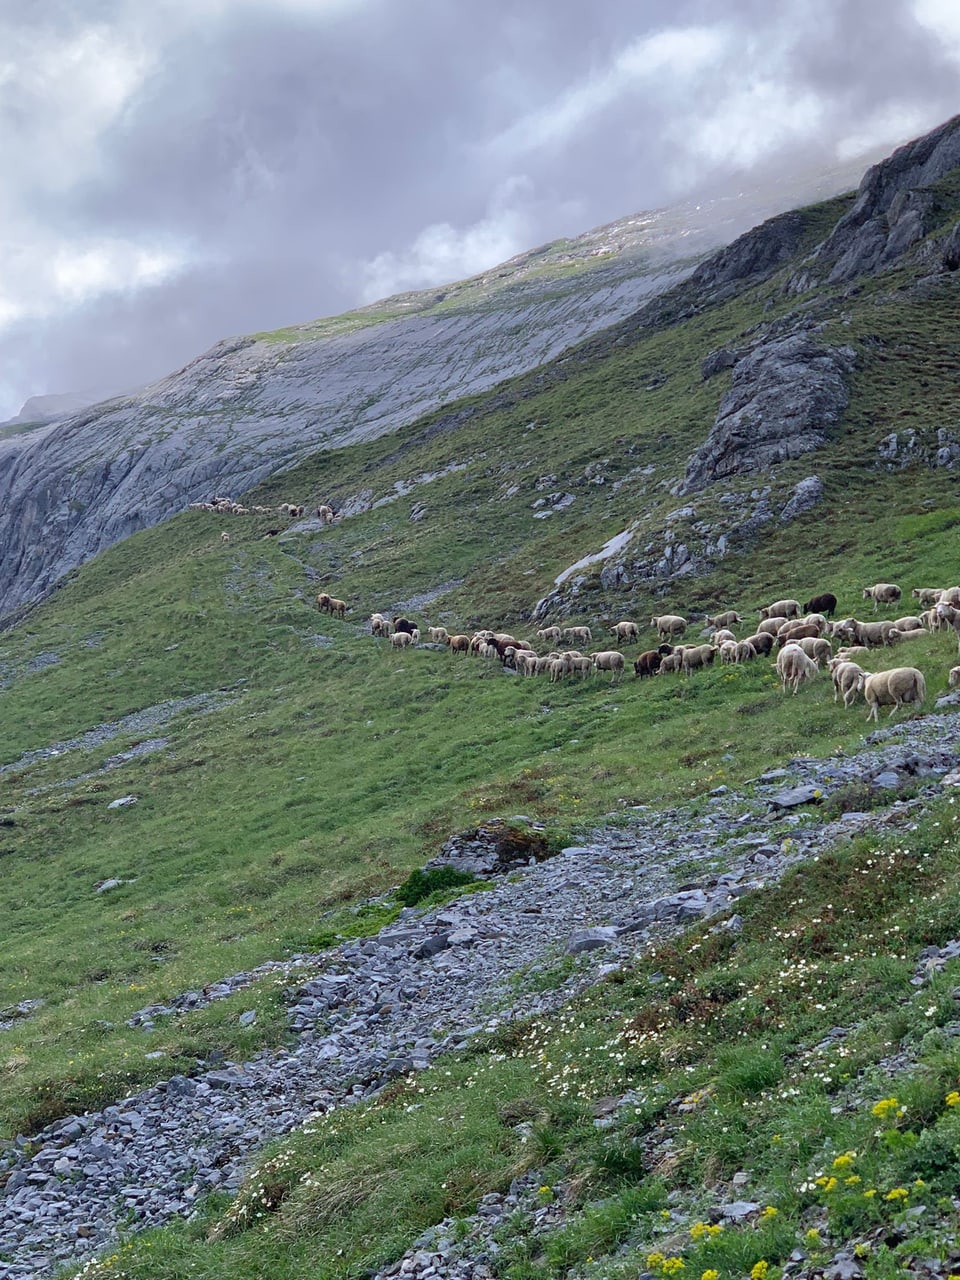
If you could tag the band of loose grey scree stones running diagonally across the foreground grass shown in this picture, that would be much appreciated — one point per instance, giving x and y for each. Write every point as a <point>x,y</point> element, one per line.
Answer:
<point>369,1012</point>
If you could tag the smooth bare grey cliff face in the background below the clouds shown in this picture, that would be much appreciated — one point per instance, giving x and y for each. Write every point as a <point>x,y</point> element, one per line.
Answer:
<point>250,408</point>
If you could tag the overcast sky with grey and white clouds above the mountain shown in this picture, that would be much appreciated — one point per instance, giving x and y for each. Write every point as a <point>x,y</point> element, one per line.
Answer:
<point>180,171</point>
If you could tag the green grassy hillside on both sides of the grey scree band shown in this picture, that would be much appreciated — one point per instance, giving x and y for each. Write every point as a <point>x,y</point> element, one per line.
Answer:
<point>289,766</point>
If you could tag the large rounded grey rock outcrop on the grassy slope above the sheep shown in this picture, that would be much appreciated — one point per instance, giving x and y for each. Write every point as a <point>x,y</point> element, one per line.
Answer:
<point>784,397</point>
